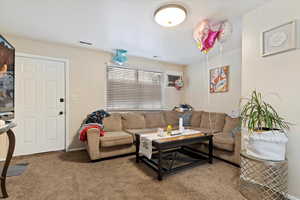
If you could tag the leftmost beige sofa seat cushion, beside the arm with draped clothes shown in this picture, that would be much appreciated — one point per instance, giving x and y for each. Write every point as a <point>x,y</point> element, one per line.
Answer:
<point>116,138</point>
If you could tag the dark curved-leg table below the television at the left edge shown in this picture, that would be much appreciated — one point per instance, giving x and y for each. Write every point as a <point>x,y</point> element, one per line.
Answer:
<point>11,137</point>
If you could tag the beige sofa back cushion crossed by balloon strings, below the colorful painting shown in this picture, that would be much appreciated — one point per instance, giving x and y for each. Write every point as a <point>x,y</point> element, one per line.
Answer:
<point>213,121</point>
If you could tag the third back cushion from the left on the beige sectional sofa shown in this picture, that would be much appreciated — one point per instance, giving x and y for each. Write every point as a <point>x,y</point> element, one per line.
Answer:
<point>154,120</point>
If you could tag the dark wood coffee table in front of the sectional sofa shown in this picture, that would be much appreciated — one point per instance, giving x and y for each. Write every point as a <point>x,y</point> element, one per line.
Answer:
<point>172,154</point>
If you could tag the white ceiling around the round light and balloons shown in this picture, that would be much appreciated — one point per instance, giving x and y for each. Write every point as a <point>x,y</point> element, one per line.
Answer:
<point>128,24</point>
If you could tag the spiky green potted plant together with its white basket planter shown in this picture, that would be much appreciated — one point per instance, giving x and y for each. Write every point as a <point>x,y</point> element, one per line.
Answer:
<point>266,138</point>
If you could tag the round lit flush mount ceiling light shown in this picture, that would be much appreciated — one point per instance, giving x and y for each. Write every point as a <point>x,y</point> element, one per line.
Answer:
<point>170,15</point>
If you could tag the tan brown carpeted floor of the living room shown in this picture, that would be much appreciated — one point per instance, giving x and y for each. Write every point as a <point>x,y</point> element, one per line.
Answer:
<point>69,176</point>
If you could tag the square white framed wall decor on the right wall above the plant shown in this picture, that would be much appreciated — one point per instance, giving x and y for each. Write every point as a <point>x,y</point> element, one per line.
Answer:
<point>279,39</point>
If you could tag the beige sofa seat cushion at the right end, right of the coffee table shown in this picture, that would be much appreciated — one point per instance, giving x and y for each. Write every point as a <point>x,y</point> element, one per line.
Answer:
<point>224,141</point>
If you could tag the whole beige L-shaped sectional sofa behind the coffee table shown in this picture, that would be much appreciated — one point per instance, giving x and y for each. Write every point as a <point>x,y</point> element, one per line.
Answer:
<point>121,128</point>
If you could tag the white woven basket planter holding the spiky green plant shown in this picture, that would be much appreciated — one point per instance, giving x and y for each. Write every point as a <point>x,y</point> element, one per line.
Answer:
<point>267,145</point>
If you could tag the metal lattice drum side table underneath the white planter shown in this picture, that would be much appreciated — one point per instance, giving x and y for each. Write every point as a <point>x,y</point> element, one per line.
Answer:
<point>263,179</point>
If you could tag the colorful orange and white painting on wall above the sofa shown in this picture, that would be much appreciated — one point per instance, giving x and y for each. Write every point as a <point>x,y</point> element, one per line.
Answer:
<point>219,79</point>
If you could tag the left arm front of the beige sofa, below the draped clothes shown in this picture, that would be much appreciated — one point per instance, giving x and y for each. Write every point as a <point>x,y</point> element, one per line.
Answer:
<point>93,142</point>
